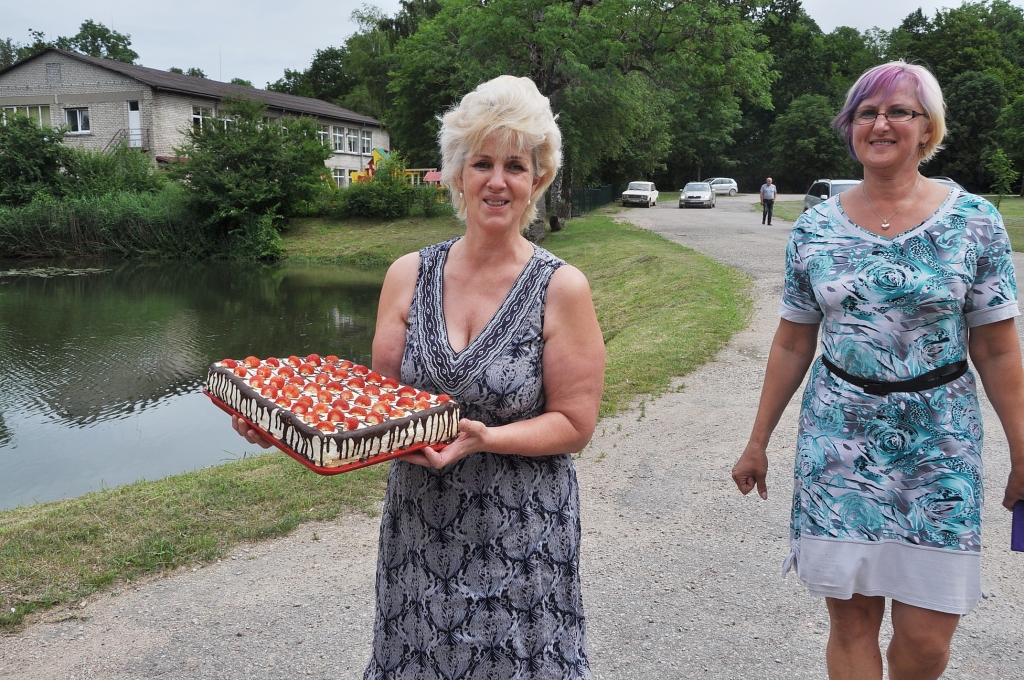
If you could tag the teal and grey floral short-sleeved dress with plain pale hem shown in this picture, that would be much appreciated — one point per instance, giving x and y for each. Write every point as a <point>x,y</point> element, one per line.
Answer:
<point>888,489</point>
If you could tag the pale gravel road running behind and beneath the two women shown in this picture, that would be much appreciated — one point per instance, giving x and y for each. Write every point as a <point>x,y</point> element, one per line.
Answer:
<point>680,574</point>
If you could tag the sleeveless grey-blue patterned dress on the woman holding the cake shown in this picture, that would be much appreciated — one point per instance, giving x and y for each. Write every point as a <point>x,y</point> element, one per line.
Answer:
<point>478,575</point>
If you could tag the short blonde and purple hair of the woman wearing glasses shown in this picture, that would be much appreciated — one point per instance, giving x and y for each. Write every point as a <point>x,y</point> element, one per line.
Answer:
<point>885,79</point>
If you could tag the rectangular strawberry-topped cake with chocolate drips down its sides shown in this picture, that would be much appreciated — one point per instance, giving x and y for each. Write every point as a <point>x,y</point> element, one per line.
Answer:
<point>331,412</point>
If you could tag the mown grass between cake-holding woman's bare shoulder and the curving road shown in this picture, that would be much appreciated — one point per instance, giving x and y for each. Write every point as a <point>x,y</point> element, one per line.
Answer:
<point>664,310</point>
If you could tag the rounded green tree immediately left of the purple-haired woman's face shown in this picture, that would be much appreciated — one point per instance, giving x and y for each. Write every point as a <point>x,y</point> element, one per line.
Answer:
<point>805,147</point>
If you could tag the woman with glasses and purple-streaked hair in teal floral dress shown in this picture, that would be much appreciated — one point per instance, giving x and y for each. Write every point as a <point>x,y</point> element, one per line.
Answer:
<point>907,279</point>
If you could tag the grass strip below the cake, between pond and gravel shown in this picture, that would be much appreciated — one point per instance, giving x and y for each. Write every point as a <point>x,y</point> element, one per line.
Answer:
<point>61,552</point>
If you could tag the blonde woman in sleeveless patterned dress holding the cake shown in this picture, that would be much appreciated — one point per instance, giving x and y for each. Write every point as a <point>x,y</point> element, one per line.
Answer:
<point>479,567</point>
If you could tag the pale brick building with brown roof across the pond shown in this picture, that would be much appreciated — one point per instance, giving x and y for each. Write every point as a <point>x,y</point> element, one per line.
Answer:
<point>105,103</point>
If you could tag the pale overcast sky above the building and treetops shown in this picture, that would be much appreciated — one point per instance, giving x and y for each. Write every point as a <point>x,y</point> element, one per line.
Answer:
<point>258,39</point>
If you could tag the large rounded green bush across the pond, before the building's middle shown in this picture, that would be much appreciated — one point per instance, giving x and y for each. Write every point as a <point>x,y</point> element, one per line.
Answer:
<point>244,176</point>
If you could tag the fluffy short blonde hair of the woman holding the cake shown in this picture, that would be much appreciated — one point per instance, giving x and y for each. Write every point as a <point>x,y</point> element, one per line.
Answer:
<point>517,111</point>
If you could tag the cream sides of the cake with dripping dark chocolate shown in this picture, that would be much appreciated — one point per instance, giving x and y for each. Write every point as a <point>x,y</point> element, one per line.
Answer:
<point>436,426</point>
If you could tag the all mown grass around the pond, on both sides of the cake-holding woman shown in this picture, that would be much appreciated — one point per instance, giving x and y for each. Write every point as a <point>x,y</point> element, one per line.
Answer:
<point>664,311</point>
